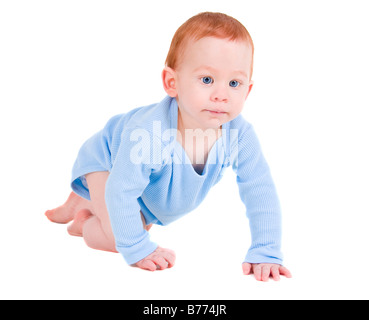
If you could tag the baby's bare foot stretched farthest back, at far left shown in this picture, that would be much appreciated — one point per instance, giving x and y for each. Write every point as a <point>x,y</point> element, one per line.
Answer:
<point>66,212</point>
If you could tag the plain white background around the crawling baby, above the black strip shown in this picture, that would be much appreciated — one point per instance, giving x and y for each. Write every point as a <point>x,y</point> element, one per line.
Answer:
<point>66,67</point>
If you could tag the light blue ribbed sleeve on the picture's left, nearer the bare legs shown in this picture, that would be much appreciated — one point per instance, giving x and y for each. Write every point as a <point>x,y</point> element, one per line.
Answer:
<point>128,179</point>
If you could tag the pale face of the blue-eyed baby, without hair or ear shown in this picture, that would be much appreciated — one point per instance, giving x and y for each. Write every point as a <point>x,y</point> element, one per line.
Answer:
<point>212,81</point>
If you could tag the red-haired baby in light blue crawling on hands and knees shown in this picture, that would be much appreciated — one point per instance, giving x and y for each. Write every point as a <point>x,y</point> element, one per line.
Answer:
<point>156,163</point>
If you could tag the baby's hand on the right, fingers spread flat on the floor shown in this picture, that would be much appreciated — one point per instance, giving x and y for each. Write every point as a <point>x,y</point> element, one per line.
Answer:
<point>262,271</point>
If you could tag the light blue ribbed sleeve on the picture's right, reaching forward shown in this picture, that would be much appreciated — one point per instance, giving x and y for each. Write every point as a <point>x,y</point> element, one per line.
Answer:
<point>259,195</point>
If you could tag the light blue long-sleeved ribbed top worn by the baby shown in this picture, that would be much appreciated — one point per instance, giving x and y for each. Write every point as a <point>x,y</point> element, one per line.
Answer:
<point>150,172</point>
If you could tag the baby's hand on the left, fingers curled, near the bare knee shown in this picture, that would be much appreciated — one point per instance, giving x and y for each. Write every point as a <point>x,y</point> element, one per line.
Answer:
<point>160,259</point>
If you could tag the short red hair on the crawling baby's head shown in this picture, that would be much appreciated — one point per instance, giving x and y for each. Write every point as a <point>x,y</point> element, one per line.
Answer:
<point>206,24</point>
